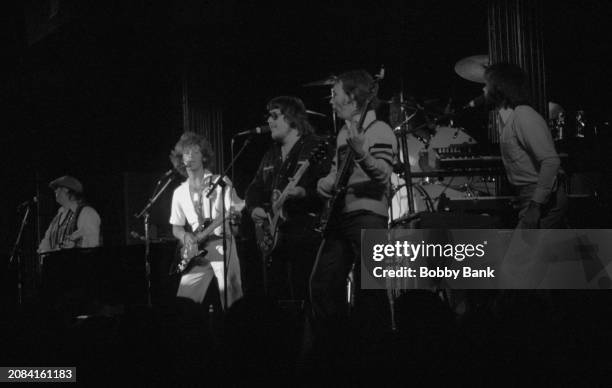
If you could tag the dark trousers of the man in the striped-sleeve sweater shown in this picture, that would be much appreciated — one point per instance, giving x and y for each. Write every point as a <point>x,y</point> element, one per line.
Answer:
<point>338,253</point>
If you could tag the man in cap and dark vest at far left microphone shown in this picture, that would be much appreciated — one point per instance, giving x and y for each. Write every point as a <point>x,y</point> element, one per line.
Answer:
<point>76,224</point>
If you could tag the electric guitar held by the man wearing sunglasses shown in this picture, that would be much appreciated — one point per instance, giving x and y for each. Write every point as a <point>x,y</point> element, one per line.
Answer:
<point>267,232</point>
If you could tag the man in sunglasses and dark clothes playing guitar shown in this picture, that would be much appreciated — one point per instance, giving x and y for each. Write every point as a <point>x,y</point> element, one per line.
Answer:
<point>290,262</point>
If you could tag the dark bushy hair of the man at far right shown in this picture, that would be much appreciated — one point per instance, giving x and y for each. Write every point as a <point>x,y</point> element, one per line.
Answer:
<point>508,85</point>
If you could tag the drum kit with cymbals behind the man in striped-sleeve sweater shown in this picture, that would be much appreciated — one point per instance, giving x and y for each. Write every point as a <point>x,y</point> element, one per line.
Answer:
<point>417,124</point>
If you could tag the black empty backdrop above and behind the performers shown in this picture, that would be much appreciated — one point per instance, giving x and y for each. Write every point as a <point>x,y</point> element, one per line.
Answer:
<point>95,90</point>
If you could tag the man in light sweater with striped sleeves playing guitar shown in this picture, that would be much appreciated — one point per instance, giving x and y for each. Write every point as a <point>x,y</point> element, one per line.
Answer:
<point>365,206</point>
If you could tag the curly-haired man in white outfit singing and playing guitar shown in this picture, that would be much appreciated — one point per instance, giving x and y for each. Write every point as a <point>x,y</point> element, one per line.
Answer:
<point>191,208</point>
